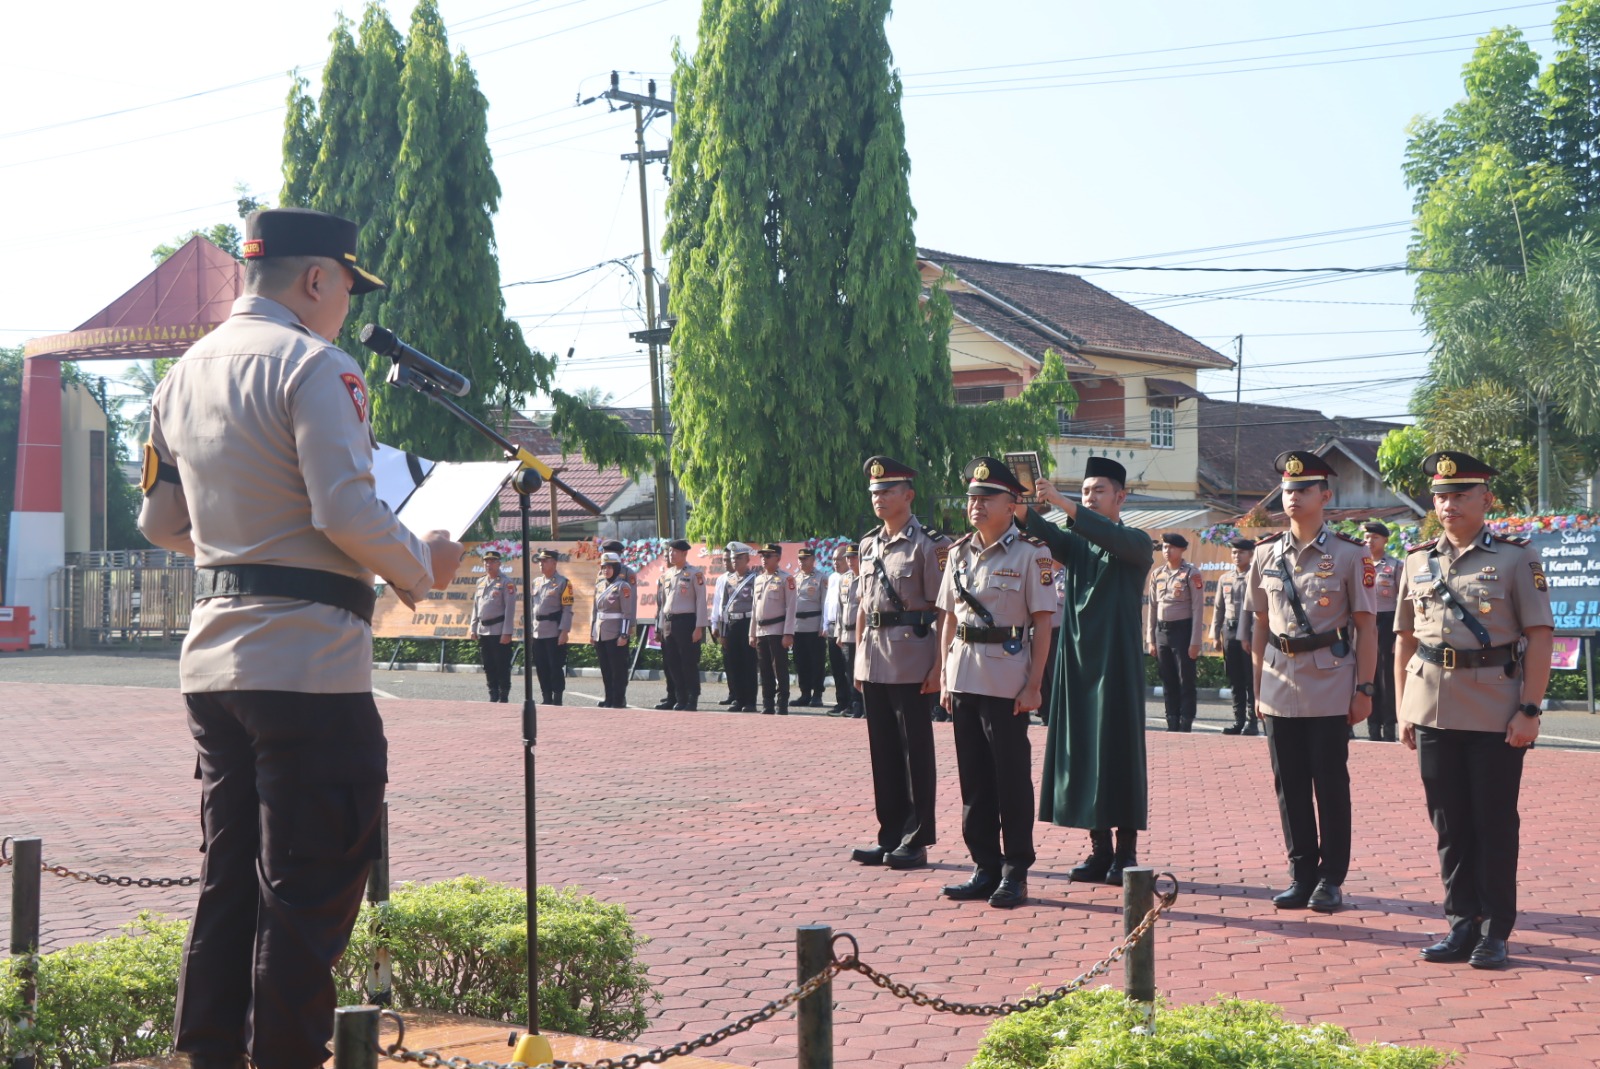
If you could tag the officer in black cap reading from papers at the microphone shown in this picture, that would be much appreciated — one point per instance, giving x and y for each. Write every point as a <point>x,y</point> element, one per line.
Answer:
<point>260,466</point>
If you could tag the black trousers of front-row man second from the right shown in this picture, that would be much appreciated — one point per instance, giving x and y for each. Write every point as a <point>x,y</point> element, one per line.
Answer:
<point>1311,763</point>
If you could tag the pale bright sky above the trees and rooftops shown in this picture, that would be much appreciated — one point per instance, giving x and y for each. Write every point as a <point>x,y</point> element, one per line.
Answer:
<point>1236,134</point>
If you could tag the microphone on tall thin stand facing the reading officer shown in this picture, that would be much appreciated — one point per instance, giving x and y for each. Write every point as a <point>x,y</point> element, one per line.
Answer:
<point>532,1049</point>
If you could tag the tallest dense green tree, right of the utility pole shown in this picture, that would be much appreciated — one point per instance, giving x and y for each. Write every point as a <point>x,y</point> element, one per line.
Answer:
<point>802,342</point>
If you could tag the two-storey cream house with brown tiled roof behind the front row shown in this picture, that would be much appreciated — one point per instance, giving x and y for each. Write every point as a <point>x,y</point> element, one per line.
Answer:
<point>1135,374</point>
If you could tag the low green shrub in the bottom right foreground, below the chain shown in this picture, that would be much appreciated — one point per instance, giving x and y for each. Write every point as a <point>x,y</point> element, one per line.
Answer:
<point>1103,1030</point>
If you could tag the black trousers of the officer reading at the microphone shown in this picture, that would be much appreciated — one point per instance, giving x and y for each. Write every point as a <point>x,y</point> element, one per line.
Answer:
<point>292,790</point>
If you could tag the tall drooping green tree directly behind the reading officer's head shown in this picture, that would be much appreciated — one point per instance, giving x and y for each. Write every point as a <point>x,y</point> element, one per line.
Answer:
<point>398,142</point>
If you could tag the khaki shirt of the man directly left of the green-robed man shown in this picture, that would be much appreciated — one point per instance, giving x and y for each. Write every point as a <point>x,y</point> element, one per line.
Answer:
<point>1014,579</point>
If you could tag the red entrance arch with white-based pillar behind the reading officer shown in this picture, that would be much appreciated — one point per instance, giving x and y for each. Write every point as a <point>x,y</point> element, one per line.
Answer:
<point>166,313</point>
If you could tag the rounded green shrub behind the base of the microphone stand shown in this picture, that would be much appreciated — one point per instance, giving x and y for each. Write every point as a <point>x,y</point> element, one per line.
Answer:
<point>460,947</point>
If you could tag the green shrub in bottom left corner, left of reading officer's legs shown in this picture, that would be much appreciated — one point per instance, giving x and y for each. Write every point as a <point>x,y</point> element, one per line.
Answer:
<point>100,1003</point>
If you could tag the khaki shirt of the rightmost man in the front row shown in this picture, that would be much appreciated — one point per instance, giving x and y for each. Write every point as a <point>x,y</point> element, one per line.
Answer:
<point>1503,585</point>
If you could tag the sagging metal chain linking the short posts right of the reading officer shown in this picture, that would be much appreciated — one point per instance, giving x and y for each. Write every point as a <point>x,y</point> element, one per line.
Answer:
<point>847,964</point>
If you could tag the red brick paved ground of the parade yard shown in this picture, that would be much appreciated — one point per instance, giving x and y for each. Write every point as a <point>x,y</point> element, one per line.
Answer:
<point>722,833</point>
